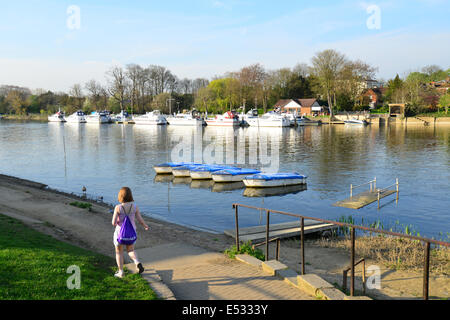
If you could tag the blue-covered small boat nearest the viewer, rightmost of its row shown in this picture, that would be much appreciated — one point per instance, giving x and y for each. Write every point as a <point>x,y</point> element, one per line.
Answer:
<point>274,180</point>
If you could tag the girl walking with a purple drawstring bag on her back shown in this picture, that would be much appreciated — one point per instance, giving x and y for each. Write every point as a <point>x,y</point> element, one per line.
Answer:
<point>127,207</point>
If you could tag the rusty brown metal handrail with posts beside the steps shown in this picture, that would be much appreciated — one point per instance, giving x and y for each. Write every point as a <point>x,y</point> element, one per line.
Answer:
<point>302,218</point>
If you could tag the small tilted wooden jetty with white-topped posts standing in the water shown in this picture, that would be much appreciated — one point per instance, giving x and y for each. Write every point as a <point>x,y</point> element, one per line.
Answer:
<point>365,198</point>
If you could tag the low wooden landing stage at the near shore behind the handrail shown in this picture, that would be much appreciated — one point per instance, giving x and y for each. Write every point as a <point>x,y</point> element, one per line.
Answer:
<point>282,230</point>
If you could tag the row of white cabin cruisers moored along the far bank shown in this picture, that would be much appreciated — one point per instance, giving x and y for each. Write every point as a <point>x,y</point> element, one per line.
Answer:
<point>228,119</point>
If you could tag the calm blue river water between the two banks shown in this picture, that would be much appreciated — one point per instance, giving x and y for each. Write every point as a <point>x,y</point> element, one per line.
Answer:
<point>106,157</point>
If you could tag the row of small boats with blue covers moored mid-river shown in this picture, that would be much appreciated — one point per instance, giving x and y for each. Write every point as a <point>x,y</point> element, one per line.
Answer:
<point>226,174</point>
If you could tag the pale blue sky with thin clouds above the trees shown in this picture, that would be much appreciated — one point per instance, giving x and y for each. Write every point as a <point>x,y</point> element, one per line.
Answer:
<point>53,44</point>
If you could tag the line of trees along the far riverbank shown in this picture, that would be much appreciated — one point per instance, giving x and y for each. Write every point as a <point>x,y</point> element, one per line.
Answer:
<point>331,77</point>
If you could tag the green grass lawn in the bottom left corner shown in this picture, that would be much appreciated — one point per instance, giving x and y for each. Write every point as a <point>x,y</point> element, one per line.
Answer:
<point>34,267</point>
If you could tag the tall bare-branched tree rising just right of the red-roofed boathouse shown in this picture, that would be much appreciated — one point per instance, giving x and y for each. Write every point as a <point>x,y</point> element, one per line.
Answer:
<point>327,66</point>
